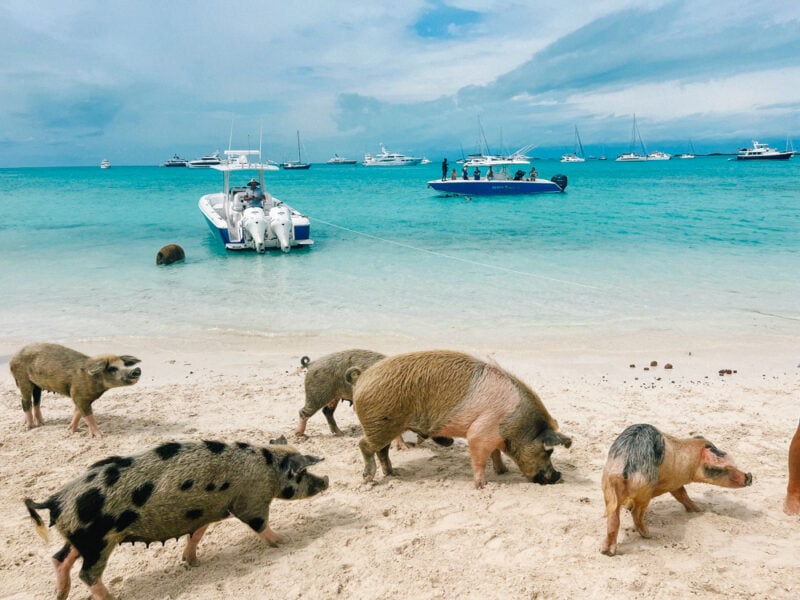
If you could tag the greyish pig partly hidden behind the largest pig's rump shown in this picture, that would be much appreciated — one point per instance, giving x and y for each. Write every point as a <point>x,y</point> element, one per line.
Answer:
<point>330,379</point>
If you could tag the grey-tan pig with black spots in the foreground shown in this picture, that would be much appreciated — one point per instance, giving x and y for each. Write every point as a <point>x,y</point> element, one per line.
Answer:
<point>171,490</point>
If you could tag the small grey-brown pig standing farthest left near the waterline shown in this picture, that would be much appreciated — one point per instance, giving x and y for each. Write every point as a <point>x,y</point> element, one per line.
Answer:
<point>58,369</point>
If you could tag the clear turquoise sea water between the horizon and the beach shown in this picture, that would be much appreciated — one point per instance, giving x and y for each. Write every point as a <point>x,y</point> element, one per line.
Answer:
<point>686,246</point>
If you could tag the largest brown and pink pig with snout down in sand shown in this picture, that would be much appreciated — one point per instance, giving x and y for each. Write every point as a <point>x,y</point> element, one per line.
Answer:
<point>444,394</point>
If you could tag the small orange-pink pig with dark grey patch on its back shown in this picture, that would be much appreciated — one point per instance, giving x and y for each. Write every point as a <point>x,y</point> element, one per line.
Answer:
<point>644,463</point>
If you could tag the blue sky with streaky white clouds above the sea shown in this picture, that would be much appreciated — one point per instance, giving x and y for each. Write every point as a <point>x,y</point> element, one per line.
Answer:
<point>136,82</point>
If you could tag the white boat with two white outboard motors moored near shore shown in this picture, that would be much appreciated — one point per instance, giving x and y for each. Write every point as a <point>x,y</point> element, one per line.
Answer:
<point>246,221</point>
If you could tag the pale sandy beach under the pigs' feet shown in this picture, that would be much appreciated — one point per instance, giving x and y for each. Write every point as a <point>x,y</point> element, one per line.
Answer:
<point>428,533</point>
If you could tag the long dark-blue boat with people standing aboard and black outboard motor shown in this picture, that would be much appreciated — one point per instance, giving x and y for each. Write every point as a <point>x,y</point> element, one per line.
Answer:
<point>500,184</point>
